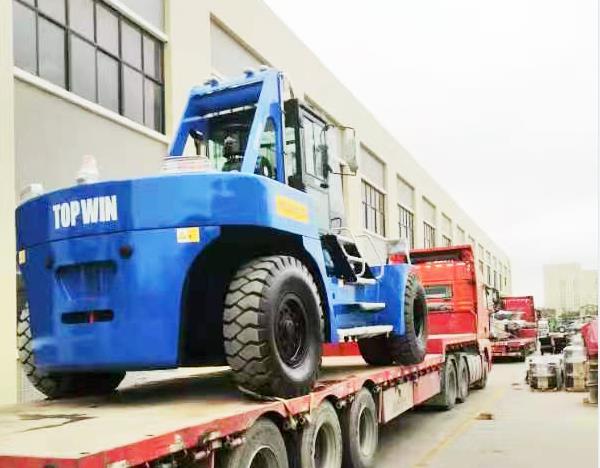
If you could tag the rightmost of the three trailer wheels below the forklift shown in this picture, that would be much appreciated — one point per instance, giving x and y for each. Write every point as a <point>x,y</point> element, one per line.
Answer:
<point>361,431</point>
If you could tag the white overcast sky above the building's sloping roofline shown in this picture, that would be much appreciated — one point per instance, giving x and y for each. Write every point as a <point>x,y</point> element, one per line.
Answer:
<point>498,100</point>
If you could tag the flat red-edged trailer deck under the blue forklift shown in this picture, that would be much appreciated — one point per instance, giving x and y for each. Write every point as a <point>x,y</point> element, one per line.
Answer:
<point>153,420</point>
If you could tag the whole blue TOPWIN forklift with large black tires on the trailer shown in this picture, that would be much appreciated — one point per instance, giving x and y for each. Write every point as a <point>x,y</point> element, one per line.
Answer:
<point>237,263</point>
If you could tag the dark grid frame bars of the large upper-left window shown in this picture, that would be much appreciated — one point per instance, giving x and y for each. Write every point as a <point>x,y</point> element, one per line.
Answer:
<point>68,33</point>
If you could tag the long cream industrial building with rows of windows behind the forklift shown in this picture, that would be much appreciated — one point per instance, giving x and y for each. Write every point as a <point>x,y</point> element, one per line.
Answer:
<point>109,78</point>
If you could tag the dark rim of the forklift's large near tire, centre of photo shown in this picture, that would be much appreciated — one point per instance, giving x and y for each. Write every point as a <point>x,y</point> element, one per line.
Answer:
<point>291,330</point>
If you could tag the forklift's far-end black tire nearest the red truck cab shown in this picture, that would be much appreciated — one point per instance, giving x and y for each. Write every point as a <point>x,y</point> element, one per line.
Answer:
<point>410,348</point>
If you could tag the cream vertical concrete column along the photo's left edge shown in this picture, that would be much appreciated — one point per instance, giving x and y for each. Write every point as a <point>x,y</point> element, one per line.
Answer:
<point>8,343</point>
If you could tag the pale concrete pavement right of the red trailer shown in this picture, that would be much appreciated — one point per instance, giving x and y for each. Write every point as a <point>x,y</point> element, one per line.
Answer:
<point>527,429</point>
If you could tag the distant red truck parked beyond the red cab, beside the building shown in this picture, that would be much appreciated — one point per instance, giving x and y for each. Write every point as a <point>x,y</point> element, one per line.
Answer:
<point>523,340</point>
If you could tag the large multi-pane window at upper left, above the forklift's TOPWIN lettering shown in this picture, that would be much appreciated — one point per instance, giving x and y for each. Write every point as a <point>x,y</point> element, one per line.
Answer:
<point>90,49</point>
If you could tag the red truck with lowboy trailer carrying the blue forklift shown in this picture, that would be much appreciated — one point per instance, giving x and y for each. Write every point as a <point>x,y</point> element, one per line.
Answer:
<point>201,419</point>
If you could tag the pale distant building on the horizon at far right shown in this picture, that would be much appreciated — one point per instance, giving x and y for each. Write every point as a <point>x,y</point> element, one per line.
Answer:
<point>568,287</point>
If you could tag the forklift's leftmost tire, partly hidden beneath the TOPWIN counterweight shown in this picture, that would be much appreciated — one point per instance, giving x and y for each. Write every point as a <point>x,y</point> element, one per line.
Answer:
<point>60,384</point>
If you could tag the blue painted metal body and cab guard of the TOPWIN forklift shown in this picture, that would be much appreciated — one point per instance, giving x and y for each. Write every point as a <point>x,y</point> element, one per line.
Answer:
<point>71,266</point>
